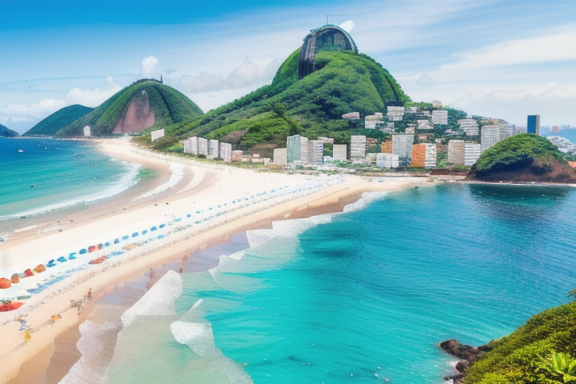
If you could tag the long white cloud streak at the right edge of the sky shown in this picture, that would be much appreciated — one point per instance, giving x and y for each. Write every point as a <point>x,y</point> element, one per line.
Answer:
<point>542,49</point>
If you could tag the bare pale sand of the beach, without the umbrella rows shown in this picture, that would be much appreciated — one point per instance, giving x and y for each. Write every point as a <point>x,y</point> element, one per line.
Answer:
<point>201,186</point>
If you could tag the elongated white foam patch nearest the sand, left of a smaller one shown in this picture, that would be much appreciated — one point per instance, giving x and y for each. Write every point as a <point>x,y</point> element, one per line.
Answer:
<point>159,300</point>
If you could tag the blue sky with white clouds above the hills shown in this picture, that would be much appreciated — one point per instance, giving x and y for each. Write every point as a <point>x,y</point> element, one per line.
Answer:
<point>497,58</point>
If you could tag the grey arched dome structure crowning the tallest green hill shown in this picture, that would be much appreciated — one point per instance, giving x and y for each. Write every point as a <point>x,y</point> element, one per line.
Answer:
<point>326,38</point>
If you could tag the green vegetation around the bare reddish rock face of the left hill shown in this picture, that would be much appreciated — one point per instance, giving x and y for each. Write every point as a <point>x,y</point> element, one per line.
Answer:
<point>169,106</point>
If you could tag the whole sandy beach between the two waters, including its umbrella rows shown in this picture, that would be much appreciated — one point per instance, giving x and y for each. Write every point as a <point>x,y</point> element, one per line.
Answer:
<point>189,206</point>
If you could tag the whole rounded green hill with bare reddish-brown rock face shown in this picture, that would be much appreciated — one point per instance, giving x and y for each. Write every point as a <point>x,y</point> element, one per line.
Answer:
<point>146,104</point>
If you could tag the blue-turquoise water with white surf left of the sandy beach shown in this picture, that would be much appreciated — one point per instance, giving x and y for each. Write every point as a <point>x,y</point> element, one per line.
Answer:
<point>40,175</point>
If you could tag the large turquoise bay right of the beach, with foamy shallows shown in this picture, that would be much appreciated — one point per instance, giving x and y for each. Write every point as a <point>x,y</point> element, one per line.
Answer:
<point>362,296</point>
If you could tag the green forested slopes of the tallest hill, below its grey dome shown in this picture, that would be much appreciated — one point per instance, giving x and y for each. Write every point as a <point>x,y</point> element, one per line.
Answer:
<point>312,106</point>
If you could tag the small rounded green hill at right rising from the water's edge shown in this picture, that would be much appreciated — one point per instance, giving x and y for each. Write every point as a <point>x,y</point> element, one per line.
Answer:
<point>523,158</point>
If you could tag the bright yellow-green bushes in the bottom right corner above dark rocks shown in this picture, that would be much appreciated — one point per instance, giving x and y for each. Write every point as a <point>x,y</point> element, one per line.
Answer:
<point>541,351</point>
